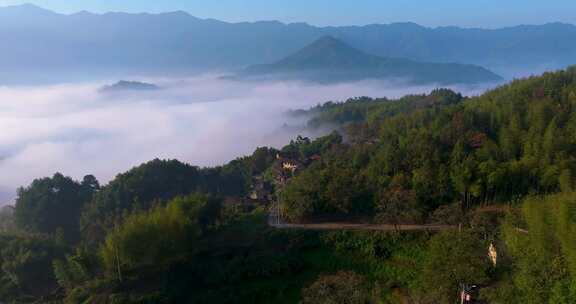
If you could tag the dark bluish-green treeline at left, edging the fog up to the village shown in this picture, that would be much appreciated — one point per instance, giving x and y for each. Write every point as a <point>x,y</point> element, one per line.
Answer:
<point>84,208</point>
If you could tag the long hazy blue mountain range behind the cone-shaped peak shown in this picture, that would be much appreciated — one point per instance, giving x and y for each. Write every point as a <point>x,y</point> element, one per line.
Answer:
<point>34,38</point>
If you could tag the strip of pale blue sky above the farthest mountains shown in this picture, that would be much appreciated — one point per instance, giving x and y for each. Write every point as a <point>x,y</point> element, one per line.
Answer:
<point>469,13</point>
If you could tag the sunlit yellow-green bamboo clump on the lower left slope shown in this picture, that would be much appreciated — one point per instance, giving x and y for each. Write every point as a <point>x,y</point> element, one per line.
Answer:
<point>155,237</point>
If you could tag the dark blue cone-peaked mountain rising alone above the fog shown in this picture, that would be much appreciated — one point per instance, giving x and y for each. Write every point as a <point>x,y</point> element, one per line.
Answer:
<point>331,60</point>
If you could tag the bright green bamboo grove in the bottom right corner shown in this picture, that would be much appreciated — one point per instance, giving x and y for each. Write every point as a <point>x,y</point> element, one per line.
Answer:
<point>540,244</point>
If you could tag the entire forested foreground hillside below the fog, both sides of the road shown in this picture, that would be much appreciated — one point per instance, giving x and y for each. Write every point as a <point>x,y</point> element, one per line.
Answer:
<point>500,166</point>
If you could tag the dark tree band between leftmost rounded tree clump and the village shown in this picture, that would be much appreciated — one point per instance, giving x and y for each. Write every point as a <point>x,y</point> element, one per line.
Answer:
<point>159,181</point>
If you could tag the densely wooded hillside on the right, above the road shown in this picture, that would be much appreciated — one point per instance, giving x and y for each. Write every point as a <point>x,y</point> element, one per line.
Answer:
<point>424,152</point>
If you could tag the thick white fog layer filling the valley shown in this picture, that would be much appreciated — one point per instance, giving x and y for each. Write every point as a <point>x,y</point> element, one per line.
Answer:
<point>205,121</point>
